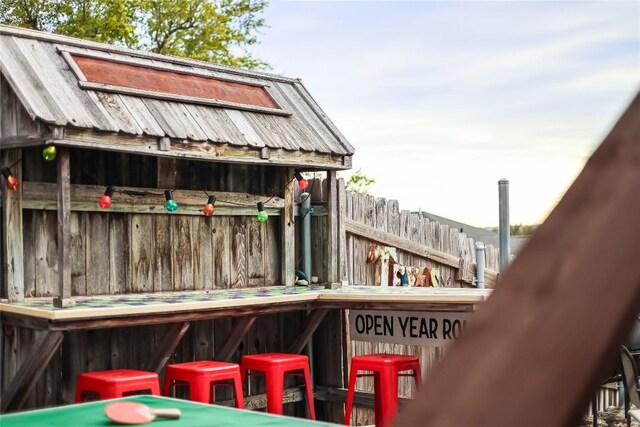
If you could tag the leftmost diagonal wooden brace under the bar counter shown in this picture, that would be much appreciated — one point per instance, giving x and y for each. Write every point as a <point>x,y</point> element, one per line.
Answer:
<point>30,371</point>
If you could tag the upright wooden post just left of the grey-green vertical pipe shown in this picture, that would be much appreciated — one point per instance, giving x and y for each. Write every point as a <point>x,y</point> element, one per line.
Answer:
<point>288,232</point>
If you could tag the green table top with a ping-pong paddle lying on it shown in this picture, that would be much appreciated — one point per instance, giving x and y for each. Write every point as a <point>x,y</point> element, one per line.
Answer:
<point>193,415</point>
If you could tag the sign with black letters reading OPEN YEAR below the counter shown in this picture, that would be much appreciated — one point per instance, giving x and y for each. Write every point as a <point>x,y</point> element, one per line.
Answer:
<point>435,329</point>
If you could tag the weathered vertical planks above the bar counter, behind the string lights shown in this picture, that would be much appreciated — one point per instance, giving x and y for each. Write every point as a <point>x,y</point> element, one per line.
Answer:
<point>121,253</point>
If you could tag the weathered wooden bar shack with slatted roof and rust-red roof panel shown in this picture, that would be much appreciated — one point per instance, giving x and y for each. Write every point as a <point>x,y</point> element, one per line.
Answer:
<point>143,124</point>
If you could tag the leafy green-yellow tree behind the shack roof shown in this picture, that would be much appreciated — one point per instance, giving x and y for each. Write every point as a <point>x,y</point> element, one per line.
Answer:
<point>212,30</point>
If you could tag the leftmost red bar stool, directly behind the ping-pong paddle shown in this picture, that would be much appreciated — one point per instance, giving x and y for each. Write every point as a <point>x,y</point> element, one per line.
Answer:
<point>116,383</point>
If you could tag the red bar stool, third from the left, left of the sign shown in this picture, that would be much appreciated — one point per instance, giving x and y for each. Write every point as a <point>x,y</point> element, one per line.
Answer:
<point>274,366</point>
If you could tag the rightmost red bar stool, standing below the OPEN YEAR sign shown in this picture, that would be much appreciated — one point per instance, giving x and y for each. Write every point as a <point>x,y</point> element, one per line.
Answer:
<point>386,370</point>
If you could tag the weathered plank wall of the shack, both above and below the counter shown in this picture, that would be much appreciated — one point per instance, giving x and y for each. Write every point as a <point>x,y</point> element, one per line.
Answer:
<point>116,253</point>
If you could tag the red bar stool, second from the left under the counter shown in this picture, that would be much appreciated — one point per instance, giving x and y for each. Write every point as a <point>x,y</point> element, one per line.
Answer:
<point>200,376</point>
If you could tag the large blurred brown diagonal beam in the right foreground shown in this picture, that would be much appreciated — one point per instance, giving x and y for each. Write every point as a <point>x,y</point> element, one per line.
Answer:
<point>561,311</point>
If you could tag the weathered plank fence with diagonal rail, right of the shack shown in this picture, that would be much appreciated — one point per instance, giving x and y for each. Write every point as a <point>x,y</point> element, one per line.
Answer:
<point>434,241</point>
